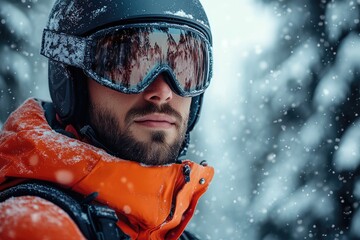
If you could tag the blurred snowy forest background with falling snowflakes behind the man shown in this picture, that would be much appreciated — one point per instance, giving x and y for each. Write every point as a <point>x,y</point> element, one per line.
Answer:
<point>280,122</point>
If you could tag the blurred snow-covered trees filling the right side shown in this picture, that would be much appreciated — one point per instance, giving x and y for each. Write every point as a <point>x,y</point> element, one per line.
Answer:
<point>306,101</point>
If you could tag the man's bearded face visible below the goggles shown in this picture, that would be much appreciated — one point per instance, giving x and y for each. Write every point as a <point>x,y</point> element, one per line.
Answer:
<point>148,127</point>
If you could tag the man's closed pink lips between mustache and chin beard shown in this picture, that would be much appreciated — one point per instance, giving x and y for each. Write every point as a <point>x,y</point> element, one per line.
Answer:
<point>156,120</point>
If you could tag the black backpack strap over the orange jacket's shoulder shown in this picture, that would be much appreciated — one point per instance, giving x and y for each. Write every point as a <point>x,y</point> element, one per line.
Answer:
<point>94,221</point>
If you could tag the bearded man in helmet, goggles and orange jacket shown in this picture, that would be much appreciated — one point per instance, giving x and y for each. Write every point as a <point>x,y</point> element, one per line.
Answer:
<point>102,160</point>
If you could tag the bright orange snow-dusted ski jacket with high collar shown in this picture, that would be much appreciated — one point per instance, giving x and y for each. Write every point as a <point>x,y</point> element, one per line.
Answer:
<point>141,195</point>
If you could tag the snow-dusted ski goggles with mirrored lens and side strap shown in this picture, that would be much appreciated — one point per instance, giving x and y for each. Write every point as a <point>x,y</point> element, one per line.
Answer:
<point>129,58</point>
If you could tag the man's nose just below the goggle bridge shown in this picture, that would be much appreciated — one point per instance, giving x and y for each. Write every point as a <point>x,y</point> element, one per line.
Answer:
<point>158,92</point>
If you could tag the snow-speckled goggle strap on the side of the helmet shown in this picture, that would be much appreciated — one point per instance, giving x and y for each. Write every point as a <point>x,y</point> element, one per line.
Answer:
<point>64,48</point>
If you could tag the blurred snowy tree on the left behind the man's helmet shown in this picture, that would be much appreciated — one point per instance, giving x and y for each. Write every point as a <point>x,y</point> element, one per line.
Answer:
<point>22,69</point>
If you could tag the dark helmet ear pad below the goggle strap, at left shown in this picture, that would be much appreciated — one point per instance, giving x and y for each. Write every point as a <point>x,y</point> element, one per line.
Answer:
<point>68,91</point>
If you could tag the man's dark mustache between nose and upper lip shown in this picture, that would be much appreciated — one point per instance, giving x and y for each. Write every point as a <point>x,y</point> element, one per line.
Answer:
<point>150,108</point>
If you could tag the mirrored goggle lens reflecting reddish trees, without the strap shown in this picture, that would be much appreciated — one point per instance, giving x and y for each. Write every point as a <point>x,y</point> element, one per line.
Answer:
<point>128,59</point>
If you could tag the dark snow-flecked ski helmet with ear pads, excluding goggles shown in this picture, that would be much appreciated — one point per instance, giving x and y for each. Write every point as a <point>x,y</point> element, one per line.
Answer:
<point>81,18</point>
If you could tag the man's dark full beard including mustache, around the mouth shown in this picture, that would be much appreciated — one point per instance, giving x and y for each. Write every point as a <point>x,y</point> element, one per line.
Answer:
<point>122,143</point>
